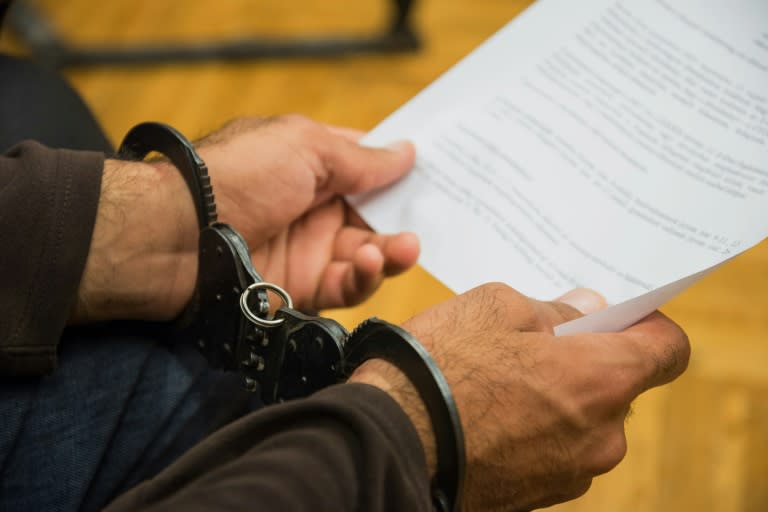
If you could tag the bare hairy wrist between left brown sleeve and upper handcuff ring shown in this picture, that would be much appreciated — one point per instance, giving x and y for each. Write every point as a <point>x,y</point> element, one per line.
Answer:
<point>142,262</point>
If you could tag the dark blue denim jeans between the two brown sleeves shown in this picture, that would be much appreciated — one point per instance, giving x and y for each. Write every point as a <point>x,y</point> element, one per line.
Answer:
<point>121,406</point>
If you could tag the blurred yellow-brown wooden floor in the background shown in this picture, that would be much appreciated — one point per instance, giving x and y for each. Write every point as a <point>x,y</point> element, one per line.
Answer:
<point>699,445</point>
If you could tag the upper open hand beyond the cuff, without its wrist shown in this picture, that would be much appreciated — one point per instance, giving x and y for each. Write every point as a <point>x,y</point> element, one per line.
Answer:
<point>278,181</point>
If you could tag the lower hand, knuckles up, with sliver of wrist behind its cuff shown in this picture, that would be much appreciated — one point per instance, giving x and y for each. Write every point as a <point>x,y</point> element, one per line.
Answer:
<point>542,415</point>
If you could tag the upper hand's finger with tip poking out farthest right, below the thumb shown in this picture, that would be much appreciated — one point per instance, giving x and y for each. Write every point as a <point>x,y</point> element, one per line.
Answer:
<point>400,251</point>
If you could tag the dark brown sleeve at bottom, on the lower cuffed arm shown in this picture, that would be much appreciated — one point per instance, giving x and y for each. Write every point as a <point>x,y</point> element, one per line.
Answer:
<point>347,448</point>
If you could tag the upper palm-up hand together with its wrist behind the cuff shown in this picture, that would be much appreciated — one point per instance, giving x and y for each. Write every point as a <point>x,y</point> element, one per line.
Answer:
<point>279,182</point>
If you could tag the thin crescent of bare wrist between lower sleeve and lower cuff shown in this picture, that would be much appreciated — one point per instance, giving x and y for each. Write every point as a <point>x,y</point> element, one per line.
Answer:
<point>392,380</point>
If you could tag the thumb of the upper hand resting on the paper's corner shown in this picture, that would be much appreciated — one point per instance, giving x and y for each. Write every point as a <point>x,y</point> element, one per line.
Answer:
<point>353,169</point>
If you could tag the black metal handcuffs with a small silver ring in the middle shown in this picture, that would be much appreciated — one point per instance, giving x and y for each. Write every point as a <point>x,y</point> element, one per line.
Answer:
<point>289,354</point>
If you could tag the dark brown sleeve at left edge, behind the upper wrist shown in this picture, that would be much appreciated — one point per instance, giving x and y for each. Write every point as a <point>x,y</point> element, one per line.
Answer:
<point>48,201</point>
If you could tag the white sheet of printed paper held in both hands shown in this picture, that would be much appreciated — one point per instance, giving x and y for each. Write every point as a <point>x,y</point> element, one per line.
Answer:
<point>615,145</point>
